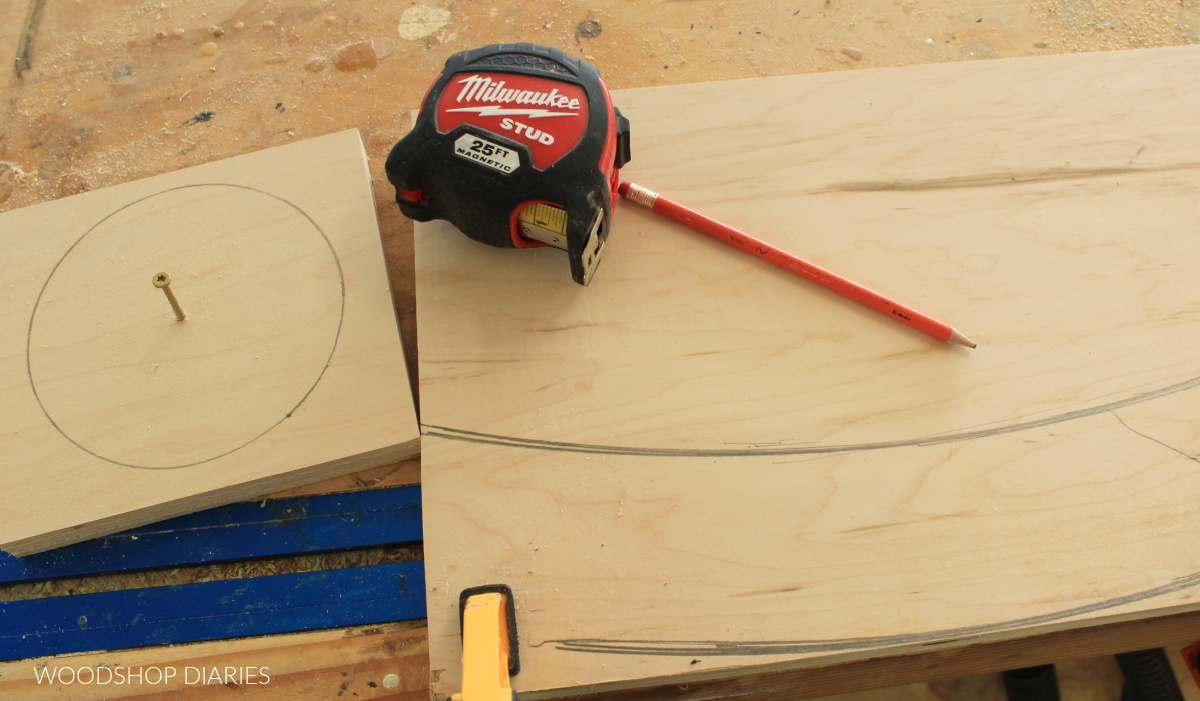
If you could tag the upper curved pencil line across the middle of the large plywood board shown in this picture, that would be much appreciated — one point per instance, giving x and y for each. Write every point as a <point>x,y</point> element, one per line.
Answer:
<point>939,440</point>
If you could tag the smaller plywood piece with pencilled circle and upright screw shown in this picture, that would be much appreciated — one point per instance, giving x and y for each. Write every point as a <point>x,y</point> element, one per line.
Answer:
<point>287,369</point>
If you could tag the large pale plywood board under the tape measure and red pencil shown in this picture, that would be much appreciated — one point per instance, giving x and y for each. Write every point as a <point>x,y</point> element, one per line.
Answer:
<point>701,466</point>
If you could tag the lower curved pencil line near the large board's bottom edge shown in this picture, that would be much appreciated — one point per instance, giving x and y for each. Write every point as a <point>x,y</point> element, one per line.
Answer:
<point>777,648</point>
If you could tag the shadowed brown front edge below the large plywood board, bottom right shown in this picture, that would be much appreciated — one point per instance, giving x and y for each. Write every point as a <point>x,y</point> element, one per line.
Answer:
<point>811,678</point>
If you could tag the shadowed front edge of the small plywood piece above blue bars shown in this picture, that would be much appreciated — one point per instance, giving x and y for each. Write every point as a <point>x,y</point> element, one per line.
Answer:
<point>238,493</point>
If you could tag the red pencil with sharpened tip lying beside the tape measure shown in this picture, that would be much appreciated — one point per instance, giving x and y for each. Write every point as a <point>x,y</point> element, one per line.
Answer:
<point>824,278</point>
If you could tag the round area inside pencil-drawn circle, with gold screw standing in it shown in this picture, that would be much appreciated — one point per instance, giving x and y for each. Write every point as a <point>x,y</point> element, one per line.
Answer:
<point>123,380</point>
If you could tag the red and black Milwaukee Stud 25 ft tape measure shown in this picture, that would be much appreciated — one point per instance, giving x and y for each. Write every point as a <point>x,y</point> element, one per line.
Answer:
<point>518,146</point>
